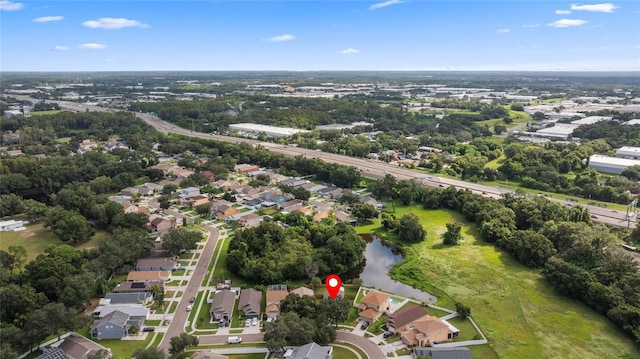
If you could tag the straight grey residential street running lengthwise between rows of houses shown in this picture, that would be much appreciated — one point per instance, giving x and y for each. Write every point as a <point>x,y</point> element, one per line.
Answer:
<point>176,327</point>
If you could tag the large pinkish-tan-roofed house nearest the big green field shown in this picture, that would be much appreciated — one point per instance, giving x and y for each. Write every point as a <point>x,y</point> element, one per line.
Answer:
<point>425,331</point>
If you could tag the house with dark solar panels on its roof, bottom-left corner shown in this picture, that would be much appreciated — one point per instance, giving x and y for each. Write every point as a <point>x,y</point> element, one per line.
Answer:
<point>75,346</point>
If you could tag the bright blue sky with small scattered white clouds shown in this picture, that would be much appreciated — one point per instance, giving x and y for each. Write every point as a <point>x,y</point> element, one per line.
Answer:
<point>310,35</point>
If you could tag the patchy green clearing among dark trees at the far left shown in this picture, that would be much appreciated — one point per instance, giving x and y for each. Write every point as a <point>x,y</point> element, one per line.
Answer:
<point>36,238</point>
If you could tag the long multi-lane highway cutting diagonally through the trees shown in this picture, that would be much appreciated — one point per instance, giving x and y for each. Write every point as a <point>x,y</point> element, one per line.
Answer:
<point>369,168</point>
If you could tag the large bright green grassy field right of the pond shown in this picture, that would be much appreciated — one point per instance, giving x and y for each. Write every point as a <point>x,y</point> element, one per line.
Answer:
<point>521,314</point>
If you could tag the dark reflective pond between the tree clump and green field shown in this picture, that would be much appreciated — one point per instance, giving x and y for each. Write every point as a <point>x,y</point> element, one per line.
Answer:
<point>374,271</point>
